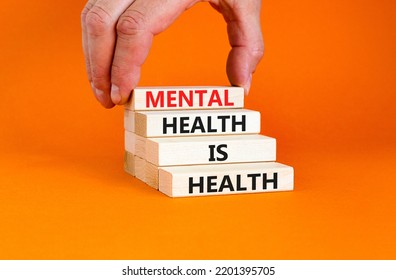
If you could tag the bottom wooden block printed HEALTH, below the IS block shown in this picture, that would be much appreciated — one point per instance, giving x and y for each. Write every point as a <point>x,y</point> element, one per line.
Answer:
<point>200,180</point>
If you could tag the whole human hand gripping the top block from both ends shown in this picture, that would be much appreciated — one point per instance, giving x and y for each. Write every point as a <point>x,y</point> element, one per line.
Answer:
<point>118,34</point>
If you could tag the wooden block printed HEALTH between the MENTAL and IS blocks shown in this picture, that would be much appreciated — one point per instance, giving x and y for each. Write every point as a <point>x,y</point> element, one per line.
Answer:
<point>194,122</point>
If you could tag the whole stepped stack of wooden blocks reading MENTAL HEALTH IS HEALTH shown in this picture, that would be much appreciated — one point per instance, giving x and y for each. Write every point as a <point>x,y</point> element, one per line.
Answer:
<point>194,141</point>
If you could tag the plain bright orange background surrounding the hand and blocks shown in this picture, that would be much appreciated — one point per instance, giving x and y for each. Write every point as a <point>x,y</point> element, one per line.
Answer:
<point>325,89</point>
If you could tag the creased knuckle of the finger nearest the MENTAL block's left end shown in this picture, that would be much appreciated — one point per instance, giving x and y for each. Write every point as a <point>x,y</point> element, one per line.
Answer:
<point>131,23</point>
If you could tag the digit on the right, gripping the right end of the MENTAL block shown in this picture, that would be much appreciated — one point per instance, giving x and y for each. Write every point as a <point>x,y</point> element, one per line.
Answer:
<point>244,33</point>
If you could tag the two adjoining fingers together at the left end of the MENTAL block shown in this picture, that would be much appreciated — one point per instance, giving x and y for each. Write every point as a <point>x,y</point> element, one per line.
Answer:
<point>117,36</point>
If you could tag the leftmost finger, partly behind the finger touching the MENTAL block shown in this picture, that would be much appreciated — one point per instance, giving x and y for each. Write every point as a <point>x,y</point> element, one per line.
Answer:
<point>99,19</point>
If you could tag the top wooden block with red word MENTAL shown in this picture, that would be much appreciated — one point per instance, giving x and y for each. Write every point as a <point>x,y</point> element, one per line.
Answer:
<point>177,98</point>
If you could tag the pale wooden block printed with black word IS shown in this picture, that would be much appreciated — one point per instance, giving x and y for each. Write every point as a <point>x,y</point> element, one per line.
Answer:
<point>168,151</point>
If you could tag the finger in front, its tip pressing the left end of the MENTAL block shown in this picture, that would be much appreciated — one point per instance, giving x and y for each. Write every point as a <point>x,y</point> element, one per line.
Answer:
<point>135,31</point>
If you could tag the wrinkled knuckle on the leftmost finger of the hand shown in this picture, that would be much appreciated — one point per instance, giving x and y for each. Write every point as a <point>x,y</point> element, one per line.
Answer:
<point>97,21</point>
